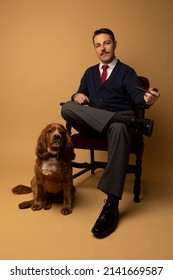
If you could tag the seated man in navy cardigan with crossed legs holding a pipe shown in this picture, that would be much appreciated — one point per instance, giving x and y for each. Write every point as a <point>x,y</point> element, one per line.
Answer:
<point>109,112</point>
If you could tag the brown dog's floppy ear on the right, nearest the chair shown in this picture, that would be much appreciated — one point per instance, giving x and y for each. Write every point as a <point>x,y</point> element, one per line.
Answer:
<point>68,153</point>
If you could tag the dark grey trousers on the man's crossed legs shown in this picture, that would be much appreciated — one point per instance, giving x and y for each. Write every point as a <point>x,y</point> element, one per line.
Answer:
<point>89,120</point>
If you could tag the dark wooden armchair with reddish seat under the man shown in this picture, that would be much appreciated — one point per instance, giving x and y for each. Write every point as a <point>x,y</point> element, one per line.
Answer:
<point>95,143</point>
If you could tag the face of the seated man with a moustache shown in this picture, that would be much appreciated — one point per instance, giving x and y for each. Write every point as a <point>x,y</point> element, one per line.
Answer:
<point>105,48</point>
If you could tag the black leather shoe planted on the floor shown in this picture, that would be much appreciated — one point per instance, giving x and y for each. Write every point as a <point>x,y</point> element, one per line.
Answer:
<point>106,222</point>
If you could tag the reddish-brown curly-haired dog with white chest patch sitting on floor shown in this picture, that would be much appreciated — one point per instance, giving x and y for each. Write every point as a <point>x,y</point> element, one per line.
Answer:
<point>53,171</point>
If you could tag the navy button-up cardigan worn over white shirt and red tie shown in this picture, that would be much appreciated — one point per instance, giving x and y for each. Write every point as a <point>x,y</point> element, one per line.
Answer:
<point>118,93</point>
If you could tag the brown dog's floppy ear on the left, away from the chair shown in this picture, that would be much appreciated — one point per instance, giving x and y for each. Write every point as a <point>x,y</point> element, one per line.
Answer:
<point>41,148</point>
